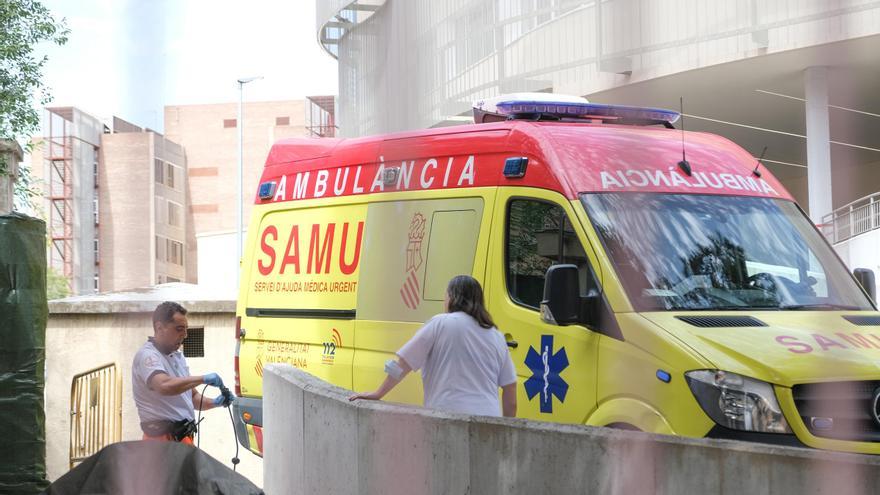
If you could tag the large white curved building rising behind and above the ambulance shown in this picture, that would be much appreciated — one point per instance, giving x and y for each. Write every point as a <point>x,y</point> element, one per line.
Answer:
<point>794,83</point>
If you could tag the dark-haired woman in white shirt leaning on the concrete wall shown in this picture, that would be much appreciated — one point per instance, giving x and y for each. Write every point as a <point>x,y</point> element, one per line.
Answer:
<point>463,358</point>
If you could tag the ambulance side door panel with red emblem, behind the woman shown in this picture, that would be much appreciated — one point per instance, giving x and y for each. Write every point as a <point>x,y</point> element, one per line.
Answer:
<point>412,248</point>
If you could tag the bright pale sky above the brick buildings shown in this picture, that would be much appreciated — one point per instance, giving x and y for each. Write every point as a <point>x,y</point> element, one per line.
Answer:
<point>130,58</point>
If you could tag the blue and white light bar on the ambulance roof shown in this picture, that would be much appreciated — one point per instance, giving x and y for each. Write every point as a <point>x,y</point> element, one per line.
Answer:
<point>546,106</point>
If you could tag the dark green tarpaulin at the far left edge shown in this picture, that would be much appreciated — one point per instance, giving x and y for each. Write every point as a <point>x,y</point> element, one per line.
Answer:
<point>23,315</point>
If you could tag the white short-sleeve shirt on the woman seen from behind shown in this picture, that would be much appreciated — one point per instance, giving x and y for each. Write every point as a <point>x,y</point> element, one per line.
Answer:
<point>462,363</point>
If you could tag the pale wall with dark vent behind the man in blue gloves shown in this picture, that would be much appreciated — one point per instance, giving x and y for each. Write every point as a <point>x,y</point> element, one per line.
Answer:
<point>78,342</point>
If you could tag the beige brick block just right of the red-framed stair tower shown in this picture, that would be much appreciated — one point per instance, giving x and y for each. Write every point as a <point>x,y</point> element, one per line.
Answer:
<point>143,213</point>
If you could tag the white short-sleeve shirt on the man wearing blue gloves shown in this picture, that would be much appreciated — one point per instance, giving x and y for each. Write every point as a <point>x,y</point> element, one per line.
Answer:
<point>151,405</point>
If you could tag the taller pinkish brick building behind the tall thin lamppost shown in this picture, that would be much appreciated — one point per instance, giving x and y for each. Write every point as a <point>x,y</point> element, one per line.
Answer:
<point>209,134</point>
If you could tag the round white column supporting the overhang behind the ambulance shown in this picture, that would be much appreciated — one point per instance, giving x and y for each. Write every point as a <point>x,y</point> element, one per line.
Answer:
<point>818,142</point>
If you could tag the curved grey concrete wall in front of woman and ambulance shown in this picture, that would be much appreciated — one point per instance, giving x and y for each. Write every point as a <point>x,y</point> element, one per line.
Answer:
<point>317,442</point>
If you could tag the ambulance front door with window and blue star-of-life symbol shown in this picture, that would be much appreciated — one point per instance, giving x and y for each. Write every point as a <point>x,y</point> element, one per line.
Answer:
<point>556,365</point>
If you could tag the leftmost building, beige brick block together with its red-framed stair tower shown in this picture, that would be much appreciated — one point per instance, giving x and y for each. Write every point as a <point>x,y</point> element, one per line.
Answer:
<point>115,201</point>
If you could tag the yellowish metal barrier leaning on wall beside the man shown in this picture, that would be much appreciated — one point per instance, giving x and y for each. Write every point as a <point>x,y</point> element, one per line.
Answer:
<point>95,411</point>
